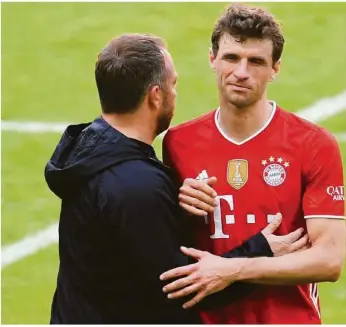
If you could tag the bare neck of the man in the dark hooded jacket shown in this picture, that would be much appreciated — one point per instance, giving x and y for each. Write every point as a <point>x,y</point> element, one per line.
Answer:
<point>135,125</point>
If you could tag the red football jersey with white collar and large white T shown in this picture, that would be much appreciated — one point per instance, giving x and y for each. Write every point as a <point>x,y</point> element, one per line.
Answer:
<point>290,166</point>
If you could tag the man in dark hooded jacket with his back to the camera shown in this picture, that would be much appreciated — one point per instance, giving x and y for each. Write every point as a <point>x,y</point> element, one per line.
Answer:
<point>120,223</point>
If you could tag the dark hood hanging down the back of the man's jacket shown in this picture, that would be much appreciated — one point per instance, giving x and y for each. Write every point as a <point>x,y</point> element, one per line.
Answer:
<point>85,150</point>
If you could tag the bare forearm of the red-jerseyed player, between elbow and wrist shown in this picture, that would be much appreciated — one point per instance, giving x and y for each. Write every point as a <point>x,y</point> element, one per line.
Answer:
<point>313,265</point>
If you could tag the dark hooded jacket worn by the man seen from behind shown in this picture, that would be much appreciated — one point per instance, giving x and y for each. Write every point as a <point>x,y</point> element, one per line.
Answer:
<point>120,228</point>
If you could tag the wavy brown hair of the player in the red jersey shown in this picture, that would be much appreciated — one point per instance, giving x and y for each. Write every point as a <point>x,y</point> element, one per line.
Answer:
<point>243,22</point>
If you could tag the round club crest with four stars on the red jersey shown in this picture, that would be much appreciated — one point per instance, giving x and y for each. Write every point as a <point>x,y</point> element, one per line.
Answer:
<point>274,173</point>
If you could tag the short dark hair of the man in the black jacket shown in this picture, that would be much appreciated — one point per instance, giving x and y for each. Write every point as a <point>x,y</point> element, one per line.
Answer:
<point>125,70</point>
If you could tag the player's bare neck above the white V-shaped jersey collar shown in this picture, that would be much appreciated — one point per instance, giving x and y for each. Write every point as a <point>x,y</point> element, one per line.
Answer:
<point>240,123</point>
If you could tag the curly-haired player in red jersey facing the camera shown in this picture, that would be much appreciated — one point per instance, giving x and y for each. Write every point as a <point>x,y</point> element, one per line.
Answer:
<point>265,160</point>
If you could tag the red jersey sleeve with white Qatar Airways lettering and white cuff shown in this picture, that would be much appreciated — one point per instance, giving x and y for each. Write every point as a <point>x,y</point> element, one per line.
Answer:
<point>323,179</point>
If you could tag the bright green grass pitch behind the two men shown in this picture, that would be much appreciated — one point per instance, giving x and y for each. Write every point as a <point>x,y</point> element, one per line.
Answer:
<point>48,56</point>
